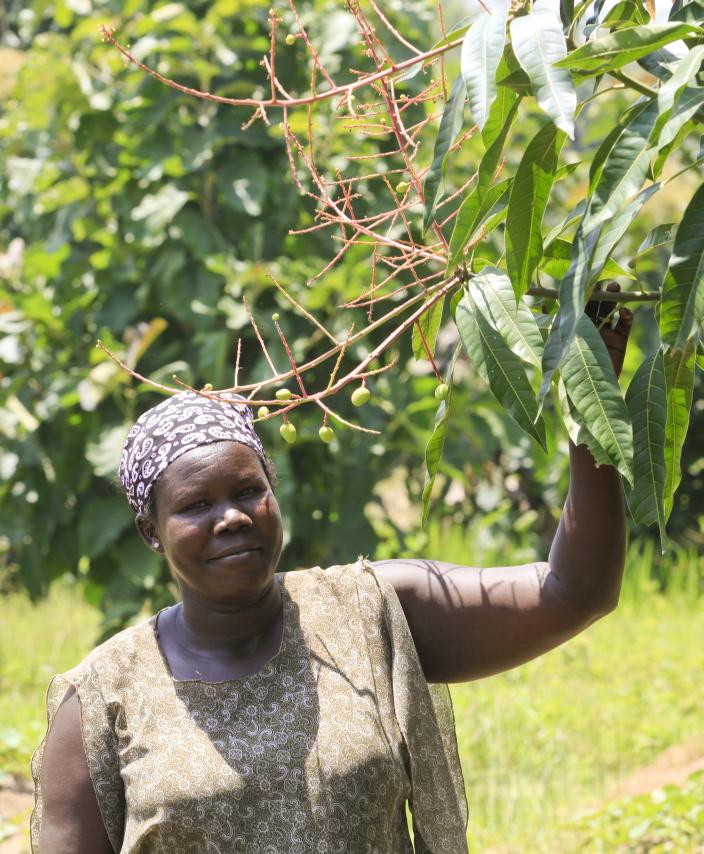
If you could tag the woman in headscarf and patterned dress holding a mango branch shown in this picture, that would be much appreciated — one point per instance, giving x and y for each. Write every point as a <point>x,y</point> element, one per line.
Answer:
<point>301,711</point>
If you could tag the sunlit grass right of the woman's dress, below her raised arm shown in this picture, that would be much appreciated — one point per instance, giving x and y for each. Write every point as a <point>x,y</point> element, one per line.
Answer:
<point>545,743</point>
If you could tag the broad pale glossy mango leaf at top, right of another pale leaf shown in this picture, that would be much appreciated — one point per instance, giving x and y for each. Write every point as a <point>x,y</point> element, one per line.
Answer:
<point>538,43</point>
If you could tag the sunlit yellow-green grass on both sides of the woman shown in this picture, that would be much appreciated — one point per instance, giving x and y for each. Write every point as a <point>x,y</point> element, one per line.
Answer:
<point>542,746</point>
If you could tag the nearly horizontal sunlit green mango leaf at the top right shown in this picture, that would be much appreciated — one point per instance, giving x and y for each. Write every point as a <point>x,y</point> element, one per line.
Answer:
<point>618,49</point>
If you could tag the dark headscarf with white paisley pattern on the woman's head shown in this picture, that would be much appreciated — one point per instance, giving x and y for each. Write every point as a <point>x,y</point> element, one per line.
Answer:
<point>177,425</point>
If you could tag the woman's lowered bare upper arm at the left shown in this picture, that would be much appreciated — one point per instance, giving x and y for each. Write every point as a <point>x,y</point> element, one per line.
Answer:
<point>71,820</point>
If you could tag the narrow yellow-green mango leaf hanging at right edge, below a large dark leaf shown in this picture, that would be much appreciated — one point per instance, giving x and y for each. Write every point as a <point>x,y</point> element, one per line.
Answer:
<point>679,383</point>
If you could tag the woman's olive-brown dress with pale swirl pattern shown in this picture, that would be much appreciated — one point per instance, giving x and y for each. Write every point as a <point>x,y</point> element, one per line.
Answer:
<point>319,751</point>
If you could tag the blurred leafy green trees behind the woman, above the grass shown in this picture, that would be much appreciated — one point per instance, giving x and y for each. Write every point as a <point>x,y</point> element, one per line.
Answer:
<point>137,215</point>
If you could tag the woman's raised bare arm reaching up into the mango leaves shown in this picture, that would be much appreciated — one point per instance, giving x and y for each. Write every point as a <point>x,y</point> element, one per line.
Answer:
<point>468,622</point>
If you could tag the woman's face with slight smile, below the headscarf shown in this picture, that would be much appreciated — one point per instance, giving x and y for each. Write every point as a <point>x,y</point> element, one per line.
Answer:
<point>218,523</point>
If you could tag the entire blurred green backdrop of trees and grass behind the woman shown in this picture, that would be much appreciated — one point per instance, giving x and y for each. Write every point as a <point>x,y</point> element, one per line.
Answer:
<point>140,216</point>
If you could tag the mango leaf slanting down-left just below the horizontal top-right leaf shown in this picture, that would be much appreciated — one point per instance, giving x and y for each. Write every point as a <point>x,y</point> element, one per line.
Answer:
<point>624,169</point>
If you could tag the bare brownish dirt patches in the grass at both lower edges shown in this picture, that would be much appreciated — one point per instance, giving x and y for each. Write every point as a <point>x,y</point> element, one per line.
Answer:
<point>673,766</point>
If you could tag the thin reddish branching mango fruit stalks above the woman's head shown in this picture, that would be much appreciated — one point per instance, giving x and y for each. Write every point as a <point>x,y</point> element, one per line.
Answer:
<point>410,267</point>
